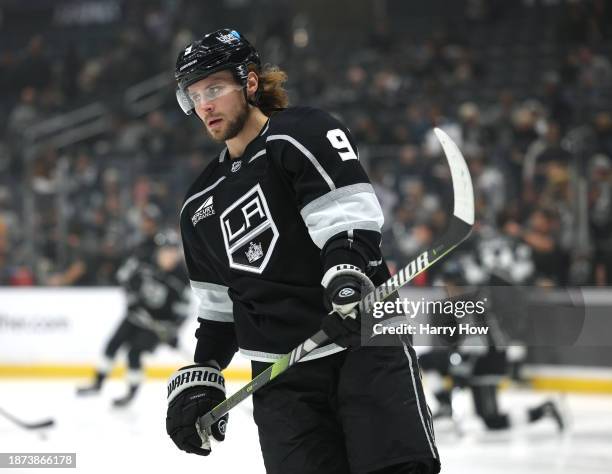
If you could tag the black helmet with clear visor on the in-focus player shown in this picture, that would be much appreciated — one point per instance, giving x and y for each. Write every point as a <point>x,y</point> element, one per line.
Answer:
<point>224,49</point>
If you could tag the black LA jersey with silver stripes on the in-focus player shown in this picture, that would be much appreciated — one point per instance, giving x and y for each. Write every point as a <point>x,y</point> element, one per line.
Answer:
<point>257,229</point>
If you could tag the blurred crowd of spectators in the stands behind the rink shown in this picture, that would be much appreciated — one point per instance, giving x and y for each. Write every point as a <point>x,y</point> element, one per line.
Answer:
<point>525,91</point>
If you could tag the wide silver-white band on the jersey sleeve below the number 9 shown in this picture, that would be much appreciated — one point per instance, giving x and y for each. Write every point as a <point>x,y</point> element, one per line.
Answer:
<point>343,209</point>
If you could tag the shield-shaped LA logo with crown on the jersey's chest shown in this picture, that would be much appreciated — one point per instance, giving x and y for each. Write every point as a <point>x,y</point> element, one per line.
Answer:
<point>249,232</point>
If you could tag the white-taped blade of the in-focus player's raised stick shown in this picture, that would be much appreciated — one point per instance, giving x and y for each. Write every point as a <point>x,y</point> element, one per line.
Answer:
<point>462,182</point>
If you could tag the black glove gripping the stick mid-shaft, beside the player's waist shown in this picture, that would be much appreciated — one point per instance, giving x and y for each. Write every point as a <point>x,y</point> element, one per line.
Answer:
<point>344,287</point>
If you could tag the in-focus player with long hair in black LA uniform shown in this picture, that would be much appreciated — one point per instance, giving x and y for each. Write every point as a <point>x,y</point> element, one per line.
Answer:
<point>280,228</point>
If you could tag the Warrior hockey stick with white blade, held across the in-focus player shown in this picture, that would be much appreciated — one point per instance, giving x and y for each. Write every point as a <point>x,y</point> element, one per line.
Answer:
<point>458,230</point>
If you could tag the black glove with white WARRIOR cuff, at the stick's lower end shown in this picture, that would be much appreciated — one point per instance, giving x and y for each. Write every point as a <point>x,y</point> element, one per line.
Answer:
<point>192,392</point>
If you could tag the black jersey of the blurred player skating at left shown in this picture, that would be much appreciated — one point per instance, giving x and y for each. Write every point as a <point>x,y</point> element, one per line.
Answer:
<point>157,300</point>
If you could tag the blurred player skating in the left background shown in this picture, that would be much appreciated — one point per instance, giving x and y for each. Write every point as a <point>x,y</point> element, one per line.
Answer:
<point>158,302</point>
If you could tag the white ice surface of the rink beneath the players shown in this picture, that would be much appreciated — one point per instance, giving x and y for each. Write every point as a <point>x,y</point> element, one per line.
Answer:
<point>134,439</point>
